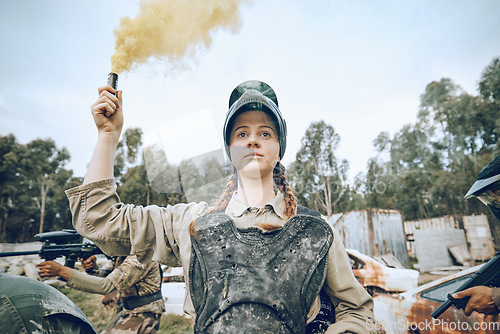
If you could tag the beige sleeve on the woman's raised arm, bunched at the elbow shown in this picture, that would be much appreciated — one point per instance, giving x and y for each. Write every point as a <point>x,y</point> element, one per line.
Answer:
<point>125,229</point>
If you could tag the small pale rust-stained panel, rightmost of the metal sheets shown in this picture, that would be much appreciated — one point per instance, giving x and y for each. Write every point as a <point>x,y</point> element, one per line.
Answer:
<point>478,233</point>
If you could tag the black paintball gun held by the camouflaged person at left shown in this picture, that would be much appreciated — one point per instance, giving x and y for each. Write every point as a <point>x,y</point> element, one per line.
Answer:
<point>57,244</point>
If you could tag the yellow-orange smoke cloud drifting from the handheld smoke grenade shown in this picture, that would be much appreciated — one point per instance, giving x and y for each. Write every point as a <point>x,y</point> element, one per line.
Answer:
<point>171,30</point>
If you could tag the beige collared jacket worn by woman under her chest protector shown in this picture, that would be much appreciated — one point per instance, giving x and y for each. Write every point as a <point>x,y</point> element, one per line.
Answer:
<point>162,233</point>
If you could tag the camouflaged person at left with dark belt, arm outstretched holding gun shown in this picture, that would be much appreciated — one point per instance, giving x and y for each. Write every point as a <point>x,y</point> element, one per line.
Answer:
<point>138,286</point>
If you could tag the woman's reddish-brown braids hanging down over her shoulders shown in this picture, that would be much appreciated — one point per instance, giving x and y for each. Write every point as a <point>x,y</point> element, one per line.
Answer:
<point>279,181</point>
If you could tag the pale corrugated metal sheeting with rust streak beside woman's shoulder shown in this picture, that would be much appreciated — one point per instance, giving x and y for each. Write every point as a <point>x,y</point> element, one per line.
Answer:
<point>373,232</point>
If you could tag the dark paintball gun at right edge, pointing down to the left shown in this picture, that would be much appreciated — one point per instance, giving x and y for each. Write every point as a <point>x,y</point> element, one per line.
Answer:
<point>487,275</point>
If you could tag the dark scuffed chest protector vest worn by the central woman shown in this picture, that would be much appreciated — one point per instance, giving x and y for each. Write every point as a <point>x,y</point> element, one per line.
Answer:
<point>250,281</point>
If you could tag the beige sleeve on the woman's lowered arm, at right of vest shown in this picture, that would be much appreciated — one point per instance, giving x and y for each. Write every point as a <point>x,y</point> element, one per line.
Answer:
<point>353,305</point>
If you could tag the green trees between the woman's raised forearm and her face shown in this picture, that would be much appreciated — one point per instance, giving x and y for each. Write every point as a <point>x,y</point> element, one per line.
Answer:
<point>154,181</point>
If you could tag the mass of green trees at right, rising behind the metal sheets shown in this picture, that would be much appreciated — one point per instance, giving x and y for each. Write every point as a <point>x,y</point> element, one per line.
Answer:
<point>427,167</point>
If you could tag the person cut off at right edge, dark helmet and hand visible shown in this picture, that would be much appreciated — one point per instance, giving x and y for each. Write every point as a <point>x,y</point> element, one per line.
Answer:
<point>485,299</point>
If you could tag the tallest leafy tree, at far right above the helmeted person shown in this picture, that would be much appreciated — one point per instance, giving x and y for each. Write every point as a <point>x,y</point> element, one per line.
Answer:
<point>467,133</point>
